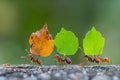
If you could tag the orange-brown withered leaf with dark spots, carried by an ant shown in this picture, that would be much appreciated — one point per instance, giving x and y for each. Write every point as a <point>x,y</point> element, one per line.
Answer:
<point>41,42</point>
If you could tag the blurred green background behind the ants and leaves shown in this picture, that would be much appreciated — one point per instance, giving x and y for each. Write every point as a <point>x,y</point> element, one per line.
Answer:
<point>19,18</point>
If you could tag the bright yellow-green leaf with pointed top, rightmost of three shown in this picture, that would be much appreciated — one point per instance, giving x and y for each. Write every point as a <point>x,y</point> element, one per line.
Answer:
<point>93,42</point>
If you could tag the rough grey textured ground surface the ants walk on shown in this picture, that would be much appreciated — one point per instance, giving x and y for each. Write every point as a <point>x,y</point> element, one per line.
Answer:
<point>68,72</point>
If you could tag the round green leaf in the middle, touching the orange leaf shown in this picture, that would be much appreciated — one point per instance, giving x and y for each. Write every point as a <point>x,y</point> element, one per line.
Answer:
<point>66,42</point>
